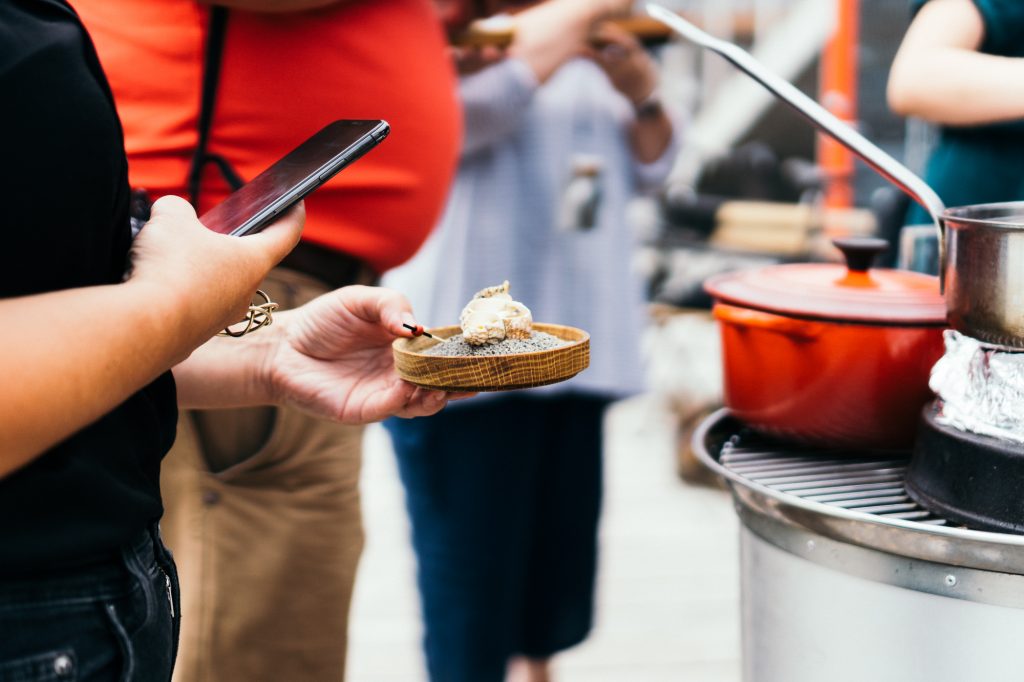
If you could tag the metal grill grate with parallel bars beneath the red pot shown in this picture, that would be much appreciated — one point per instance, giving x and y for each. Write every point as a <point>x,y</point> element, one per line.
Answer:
<point>860,484</point>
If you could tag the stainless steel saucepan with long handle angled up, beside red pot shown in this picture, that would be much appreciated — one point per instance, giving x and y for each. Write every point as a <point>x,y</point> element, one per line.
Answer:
<point>982,248</point>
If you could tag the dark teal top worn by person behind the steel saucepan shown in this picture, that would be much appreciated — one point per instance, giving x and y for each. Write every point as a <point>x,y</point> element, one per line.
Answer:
<point>982,164</point>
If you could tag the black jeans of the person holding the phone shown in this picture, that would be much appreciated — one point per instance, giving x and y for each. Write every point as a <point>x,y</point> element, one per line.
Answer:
<point>115,622</point>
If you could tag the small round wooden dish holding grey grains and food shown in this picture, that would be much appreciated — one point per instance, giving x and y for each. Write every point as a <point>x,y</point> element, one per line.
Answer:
<point>492,373</point>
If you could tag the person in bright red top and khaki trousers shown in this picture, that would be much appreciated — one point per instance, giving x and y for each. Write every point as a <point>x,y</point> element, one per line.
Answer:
<point>263,507</point>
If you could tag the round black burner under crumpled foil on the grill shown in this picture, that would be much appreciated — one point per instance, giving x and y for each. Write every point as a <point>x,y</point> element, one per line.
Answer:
<point>971,480</point>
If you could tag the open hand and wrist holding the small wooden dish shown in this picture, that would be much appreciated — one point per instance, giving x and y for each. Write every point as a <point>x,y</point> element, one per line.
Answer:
<point>331,358</point>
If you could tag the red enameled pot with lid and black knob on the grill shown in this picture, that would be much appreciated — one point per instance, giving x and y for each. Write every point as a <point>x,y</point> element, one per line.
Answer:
<point>830,355</point>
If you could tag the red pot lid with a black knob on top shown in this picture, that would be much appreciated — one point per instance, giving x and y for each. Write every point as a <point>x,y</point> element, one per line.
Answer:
<point>855,292</point>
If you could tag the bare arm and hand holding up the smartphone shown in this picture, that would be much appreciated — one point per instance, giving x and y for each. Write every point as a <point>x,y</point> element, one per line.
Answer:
<point>68,358</point>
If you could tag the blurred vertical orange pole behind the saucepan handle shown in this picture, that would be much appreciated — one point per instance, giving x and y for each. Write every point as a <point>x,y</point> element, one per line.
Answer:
<point>839,95</point>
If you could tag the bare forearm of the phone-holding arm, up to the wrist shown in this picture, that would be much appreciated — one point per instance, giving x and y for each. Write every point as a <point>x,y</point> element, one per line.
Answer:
<point>71,357</point>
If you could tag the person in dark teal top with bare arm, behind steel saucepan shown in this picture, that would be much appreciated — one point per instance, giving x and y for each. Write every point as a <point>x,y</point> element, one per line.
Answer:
<point>957,68</point>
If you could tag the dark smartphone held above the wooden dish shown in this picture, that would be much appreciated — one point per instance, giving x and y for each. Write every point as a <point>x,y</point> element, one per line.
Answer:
<point>257,204</point>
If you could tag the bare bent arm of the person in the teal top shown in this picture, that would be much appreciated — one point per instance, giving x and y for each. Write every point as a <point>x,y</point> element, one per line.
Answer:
<point>938,69</point>
